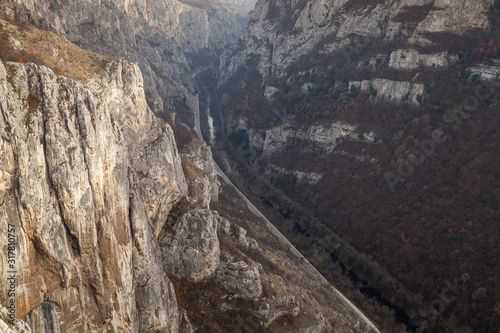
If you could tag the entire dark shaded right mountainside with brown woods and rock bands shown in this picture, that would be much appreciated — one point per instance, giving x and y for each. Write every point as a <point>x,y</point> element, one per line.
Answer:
<point>368,131</point>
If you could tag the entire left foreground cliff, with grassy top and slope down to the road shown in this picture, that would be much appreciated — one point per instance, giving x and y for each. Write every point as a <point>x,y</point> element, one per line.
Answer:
<point>107,226</point>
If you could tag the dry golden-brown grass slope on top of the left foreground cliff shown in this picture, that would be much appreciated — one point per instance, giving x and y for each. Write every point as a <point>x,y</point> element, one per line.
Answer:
<point>49,49</point>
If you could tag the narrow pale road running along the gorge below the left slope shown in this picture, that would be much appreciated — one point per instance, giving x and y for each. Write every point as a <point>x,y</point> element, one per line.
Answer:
<point>271,227</point>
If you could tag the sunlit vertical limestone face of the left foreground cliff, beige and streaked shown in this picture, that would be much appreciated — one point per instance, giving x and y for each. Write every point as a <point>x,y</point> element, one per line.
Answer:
<point>88,172</point>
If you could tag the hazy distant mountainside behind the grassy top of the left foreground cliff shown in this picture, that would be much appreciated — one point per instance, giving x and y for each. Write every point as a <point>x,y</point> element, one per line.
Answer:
<point>156,34</point>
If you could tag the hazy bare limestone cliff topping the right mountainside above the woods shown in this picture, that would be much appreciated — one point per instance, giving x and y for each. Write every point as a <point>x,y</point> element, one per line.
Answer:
<point>280,32</point>
